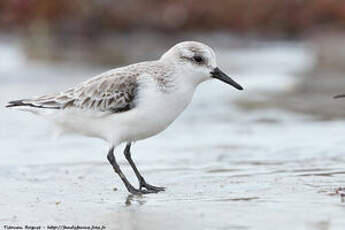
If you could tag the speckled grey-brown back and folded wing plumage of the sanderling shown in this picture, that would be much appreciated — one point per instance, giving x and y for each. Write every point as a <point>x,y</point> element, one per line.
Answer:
<point>112,91</point>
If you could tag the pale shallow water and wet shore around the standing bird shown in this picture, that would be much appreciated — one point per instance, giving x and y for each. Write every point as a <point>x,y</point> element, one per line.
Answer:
<point>224,167</point>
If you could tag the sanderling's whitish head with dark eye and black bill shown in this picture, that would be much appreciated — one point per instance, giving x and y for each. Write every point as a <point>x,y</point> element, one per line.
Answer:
<point>198,61</point>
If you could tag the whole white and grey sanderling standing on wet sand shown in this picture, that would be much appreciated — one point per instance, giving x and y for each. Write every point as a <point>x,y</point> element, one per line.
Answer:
<point>131,103</point>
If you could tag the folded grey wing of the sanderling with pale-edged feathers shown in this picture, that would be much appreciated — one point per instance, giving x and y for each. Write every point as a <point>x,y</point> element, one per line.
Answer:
<point>112,91</point>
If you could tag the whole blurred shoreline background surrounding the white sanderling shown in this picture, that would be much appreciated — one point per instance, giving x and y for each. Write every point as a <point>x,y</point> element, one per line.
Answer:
<point>277,148</point>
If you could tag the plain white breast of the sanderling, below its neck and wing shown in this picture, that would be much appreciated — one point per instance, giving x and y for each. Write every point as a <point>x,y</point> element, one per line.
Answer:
<point>154,112</point>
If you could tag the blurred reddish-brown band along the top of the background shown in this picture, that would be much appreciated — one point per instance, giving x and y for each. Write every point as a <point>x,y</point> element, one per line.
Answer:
<point>85,17</point>
